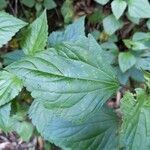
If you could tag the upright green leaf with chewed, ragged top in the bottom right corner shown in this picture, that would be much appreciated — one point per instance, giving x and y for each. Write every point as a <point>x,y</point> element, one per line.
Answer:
<point>135,131</point>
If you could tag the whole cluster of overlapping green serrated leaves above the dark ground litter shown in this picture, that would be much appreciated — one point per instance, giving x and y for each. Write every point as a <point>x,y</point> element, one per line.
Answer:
<point>70,80</point>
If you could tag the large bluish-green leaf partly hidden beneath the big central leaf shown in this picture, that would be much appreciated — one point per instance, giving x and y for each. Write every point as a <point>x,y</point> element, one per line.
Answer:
<point>97,132</point>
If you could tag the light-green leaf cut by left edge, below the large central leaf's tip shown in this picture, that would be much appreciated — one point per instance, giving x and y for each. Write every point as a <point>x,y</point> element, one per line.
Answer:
<point>10,86</point>
